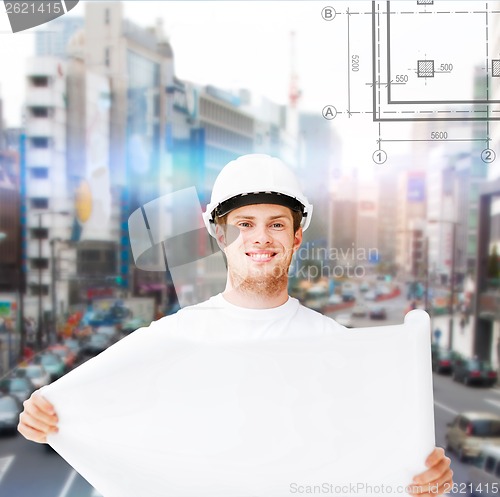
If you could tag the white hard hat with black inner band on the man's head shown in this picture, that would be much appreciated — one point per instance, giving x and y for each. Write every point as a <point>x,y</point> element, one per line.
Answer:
<point>255,179</point>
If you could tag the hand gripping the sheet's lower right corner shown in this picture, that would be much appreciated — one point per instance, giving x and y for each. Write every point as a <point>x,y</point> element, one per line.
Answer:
<point>436,480</point>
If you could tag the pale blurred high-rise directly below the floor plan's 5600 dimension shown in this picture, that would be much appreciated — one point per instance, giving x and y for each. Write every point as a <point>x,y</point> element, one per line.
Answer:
<point>453,175</point>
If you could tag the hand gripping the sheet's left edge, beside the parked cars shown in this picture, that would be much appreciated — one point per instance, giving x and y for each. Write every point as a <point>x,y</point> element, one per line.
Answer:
<point>38,418</point>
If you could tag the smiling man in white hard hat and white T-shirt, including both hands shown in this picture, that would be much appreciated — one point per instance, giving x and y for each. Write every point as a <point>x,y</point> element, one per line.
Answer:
<point>257,214</point>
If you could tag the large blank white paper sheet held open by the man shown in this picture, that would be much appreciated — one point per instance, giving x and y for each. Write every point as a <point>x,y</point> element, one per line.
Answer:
<point>261,419</point>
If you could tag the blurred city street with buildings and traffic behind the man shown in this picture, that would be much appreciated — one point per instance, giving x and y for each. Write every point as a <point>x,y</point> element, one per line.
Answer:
<point>91,219</point>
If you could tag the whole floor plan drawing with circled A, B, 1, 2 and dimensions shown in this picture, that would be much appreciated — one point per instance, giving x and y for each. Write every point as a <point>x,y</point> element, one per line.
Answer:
<point>428,61</point>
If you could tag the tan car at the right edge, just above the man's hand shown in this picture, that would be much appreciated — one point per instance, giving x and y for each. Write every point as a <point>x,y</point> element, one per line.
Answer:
<point>470,430</point>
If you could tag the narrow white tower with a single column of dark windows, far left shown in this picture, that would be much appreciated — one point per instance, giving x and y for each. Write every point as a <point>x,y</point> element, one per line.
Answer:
<point>48,205</point>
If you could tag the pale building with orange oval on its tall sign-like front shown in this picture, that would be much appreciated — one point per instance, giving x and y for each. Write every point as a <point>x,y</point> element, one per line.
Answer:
<point>95,231</point>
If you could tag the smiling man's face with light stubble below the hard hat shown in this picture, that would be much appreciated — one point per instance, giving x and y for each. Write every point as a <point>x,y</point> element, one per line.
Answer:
<point>259,244</point>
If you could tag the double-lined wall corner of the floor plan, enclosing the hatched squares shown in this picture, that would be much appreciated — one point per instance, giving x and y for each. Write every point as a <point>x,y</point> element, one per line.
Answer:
<point>396,26</point>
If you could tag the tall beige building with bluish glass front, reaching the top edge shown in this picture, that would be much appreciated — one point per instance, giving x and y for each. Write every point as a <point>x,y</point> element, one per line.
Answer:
<point>138,64</point>
